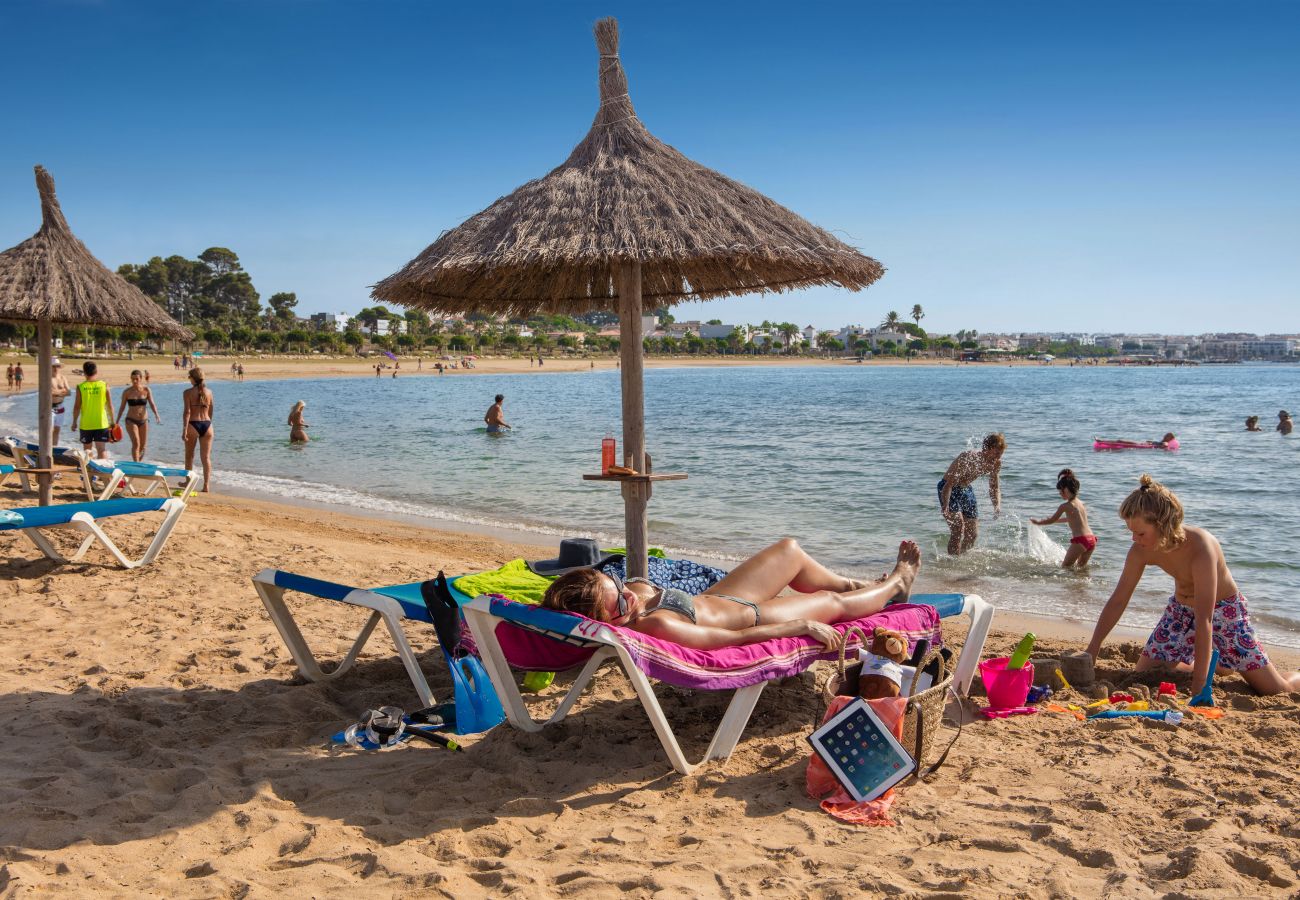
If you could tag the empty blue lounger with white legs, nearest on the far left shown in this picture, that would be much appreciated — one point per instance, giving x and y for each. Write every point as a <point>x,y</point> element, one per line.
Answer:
<point>86,518</point>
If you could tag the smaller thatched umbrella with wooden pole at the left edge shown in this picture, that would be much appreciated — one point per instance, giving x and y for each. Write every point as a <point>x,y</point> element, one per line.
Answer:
<point>53,280</point>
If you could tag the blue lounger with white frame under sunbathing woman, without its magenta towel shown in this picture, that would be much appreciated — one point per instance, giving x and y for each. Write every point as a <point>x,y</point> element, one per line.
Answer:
<point>486,613</point>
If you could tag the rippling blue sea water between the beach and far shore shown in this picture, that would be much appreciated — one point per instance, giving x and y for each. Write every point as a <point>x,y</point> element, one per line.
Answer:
<point>843,457</point>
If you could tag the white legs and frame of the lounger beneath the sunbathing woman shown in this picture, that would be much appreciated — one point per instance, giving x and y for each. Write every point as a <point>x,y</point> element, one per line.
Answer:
<point>483,625</point>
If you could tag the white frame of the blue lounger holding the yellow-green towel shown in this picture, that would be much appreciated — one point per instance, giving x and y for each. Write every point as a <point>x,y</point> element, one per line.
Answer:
<point>382,609</point>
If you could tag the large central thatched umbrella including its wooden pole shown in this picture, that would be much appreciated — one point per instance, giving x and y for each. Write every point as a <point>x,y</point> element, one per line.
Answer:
<point>627,224</point>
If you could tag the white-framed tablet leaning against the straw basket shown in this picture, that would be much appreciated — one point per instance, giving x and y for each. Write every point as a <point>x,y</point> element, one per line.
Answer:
<point>861,752</point>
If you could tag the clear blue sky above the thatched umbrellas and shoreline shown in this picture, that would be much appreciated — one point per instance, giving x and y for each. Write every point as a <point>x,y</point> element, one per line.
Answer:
<point>1016,166</point>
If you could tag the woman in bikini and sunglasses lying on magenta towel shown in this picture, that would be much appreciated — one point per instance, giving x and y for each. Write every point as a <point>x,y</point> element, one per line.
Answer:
<point>744,608</point>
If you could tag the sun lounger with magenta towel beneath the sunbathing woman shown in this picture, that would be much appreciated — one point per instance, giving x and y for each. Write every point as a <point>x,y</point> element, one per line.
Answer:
<point>521,637</point>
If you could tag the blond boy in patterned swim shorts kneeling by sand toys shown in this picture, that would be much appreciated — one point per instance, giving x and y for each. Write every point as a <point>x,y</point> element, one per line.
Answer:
<point>1207,609</point>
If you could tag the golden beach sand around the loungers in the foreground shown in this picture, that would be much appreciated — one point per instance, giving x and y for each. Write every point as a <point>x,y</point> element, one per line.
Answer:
<point>159,742</point>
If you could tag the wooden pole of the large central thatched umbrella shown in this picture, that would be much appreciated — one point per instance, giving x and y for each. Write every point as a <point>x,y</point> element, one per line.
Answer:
<point>636,496</point>
